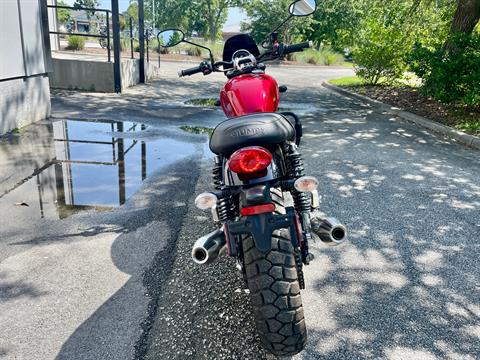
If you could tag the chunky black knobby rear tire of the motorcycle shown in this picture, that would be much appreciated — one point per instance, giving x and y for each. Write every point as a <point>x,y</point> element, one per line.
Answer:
<point>275,295</point>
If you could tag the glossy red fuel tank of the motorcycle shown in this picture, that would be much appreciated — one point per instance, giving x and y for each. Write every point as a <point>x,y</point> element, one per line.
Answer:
<point>249,93</point>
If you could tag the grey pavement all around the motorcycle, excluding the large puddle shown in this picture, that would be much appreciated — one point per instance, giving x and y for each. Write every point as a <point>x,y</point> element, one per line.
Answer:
<point>120,284</point>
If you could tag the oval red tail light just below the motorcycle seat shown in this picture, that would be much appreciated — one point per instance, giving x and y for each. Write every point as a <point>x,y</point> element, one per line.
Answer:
<point>249,160</point>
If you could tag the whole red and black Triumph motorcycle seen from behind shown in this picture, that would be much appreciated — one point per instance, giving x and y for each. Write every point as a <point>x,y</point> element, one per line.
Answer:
<point>265,208</point>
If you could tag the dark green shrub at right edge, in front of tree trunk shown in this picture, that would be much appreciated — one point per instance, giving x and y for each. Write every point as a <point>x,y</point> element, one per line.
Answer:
<point>450,75</point>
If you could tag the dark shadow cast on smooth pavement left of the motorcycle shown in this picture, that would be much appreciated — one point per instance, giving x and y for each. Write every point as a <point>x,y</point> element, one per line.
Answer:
<point>145,251</point>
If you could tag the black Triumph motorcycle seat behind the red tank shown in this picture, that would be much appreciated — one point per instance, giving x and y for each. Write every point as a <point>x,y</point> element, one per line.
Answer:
<point>259,129</point>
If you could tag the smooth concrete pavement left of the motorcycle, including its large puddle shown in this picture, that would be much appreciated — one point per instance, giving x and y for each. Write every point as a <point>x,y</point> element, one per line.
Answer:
<point>90,206</point>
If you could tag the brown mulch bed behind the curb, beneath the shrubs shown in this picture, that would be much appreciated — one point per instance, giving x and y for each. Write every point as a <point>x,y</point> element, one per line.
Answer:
<point>410,99</point>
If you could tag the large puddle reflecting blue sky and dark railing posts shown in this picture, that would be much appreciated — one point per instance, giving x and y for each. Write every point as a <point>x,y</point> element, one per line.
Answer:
<point>95,165</point>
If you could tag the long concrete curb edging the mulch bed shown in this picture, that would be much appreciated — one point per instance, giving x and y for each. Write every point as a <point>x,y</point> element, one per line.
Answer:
<point>459,136</point>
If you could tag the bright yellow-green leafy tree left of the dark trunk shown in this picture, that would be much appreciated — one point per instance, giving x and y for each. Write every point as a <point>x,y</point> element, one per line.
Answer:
<point>388,32</point>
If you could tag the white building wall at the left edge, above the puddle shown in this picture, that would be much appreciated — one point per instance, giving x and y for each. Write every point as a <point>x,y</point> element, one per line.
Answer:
<point>24,63</point>
